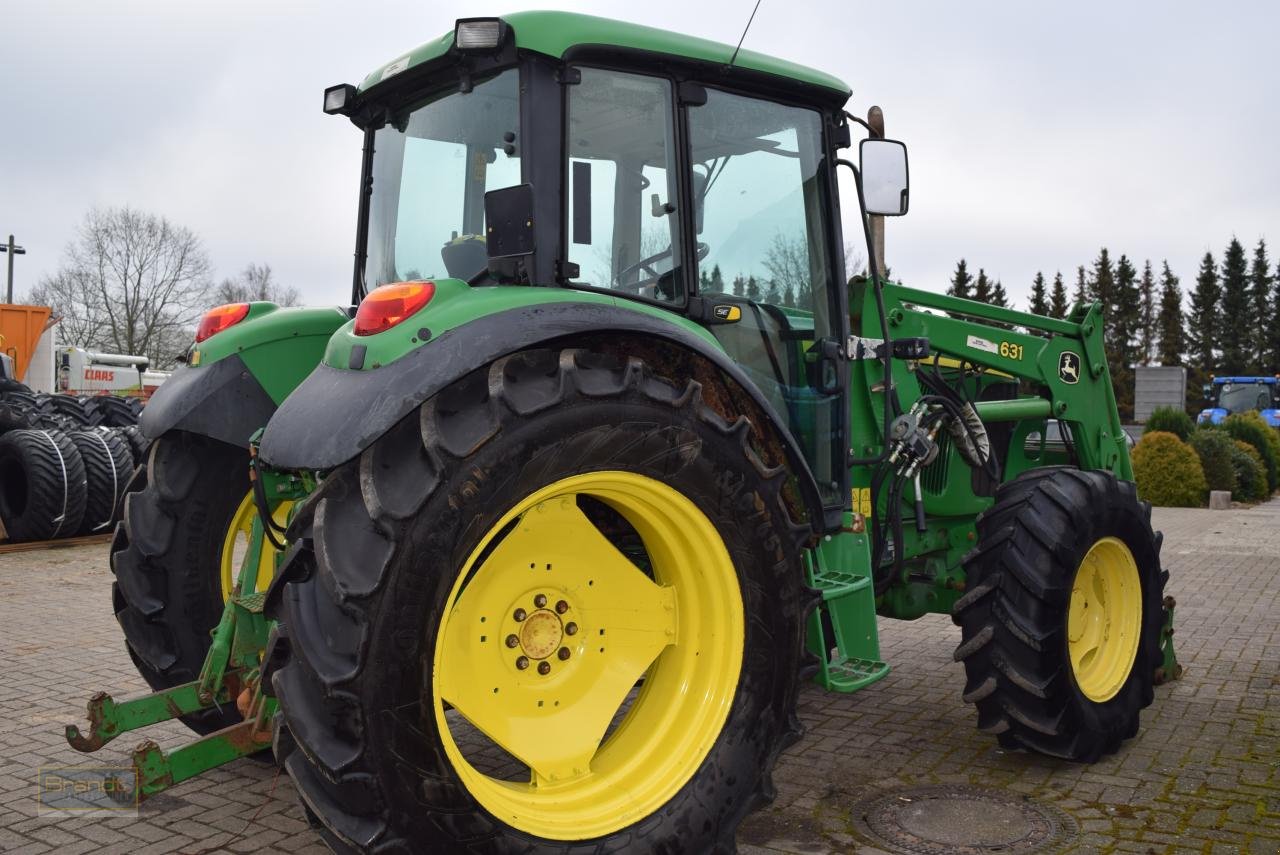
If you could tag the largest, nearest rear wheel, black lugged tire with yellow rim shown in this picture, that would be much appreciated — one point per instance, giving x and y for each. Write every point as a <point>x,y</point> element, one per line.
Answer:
<point>588,488</point>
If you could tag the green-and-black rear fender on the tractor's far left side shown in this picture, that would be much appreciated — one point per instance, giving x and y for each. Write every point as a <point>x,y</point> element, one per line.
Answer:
<point>235,381</point>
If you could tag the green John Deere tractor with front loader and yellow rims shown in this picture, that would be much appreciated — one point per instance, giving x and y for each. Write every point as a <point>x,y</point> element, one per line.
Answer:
<point>533,548</point>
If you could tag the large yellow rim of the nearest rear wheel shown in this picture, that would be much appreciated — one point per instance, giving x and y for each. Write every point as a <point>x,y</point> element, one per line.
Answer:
<point>542,644</point>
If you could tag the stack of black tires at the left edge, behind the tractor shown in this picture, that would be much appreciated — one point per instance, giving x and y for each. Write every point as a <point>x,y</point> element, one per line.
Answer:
<point>65,463</point>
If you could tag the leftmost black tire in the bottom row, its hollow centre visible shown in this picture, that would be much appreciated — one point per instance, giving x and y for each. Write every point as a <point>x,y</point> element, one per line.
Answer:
<point>43,490</point>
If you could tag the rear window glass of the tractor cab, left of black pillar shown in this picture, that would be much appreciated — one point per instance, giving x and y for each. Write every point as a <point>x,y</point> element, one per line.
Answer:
<point>433,164</point>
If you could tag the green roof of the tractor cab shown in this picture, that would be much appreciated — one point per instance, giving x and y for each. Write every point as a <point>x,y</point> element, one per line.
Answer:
<point>556,33</point>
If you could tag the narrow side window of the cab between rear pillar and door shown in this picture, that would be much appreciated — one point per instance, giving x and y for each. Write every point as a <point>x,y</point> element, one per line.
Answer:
<point>624,222</point>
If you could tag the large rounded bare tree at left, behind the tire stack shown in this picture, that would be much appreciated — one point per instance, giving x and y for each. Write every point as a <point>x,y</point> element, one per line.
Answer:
<point>131,284</point>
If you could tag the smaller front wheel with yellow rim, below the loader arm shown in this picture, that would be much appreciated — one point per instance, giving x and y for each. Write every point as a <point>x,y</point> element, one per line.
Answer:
<point>1026,579</point>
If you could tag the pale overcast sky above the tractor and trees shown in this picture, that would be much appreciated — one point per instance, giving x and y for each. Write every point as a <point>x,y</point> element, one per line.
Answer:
<point>1037,132</point>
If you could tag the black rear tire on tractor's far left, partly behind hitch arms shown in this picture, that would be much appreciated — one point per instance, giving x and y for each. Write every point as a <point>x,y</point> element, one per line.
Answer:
<point>167,559</point>
